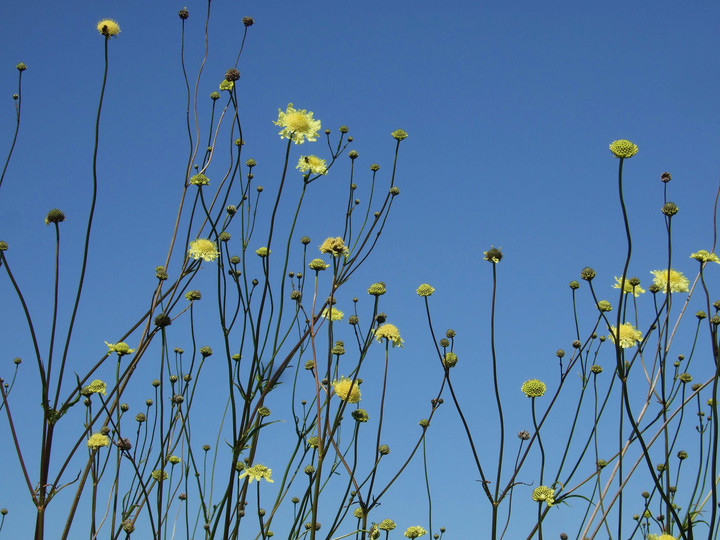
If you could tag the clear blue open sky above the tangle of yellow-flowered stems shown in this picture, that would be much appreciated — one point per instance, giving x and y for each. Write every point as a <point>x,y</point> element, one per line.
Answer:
<point>509,110</point>
